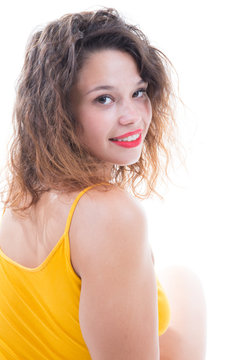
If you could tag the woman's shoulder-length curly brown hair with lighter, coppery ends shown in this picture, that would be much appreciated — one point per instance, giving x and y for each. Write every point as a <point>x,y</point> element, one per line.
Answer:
<point>45,152</point>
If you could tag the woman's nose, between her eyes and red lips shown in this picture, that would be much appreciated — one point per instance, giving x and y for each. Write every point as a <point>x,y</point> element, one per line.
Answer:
<point>129,113</point>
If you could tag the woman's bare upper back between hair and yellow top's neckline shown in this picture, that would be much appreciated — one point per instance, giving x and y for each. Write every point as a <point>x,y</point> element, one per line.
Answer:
<point>30,240</point>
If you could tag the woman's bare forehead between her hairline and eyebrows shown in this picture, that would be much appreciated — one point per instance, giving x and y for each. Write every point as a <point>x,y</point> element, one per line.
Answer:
<point>108,65</point>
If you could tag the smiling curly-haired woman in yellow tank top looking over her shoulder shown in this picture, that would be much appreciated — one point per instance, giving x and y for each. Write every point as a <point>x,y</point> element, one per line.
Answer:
<point>92,119</point>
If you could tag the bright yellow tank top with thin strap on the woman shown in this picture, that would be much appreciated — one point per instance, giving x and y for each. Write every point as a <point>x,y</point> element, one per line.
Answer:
<point>39,307</point>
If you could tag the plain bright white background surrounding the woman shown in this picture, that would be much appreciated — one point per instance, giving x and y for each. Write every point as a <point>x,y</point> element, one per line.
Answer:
<point>197,225</point>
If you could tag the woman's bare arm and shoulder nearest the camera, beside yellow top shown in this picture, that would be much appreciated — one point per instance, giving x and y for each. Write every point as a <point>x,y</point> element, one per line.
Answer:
<point>118,303</point>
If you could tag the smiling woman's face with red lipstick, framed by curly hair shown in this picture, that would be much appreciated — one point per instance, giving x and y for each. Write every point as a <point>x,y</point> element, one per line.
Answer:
<point>109,101</point>
